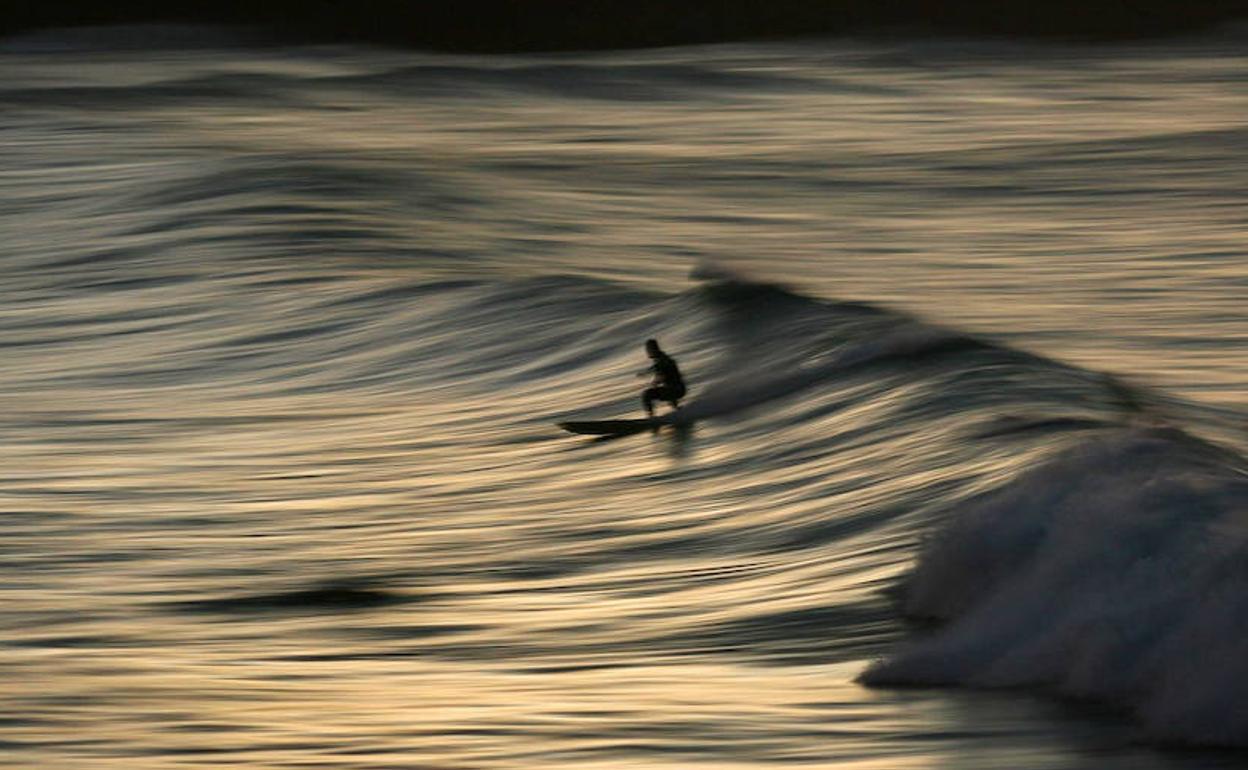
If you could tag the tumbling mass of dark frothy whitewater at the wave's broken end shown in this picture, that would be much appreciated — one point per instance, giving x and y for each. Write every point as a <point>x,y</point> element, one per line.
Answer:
<point>1114,572</point>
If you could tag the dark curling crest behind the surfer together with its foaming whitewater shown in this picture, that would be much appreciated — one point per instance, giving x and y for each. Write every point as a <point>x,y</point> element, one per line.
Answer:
<point>1114,570</point>
